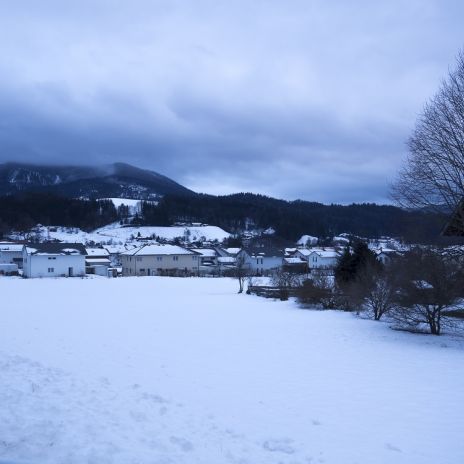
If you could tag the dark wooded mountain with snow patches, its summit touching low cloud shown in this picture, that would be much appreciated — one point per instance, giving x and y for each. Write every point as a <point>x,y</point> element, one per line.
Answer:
<point>114,180</point>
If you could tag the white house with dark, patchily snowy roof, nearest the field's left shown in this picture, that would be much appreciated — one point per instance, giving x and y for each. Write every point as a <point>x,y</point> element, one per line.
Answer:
<point>54,260</point>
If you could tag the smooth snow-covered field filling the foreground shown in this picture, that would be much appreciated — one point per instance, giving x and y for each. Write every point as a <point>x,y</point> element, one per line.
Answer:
<point>165,370</point>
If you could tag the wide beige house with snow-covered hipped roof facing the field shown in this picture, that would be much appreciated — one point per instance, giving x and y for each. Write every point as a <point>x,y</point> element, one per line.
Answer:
<point>160,259</point>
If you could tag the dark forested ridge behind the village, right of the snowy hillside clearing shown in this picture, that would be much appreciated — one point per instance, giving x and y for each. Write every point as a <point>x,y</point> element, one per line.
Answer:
<point>291,219</point>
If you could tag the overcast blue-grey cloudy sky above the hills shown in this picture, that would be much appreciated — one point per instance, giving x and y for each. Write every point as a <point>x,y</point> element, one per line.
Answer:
<point>294,99</point>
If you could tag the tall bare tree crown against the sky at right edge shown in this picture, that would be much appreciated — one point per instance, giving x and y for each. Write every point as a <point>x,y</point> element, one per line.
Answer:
<point>433,176</point>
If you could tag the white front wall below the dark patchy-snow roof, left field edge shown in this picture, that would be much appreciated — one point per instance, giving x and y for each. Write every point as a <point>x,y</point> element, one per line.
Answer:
<point>39,265</point>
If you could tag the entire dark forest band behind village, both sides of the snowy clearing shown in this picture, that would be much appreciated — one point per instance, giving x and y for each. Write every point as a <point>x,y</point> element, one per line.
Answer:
<point>235,213</point>
